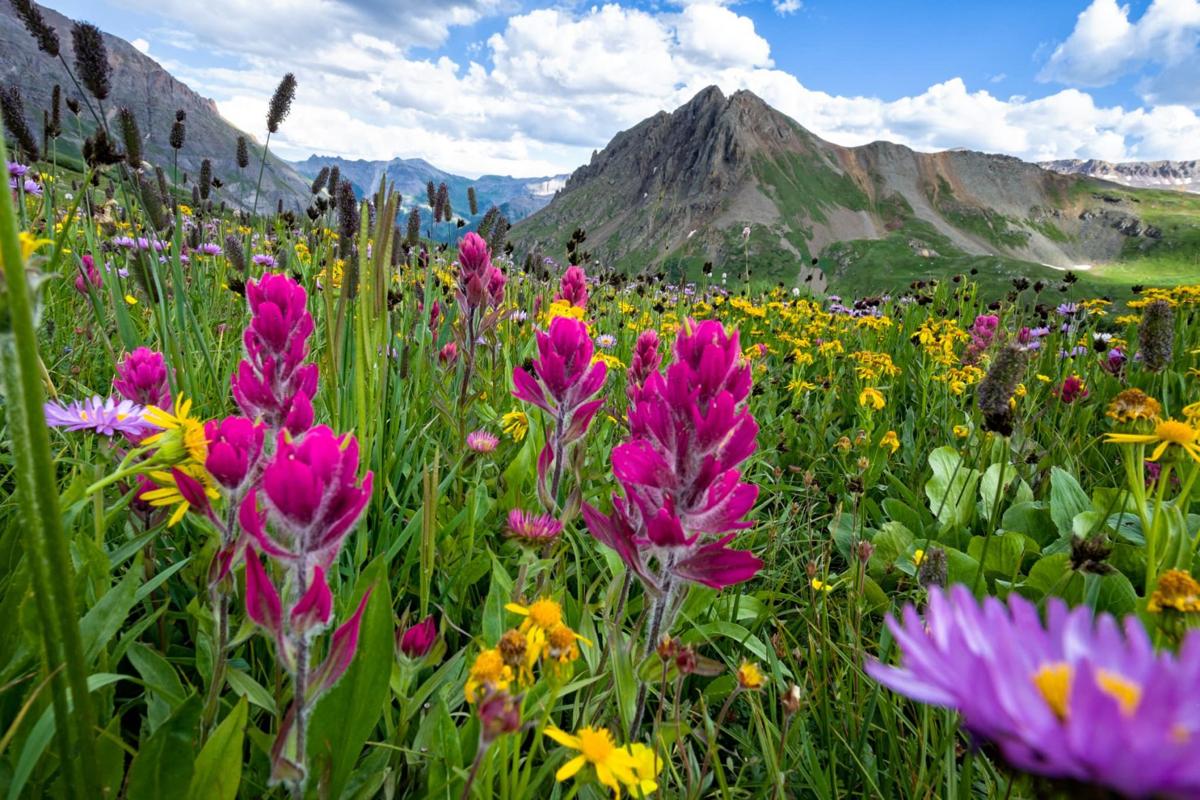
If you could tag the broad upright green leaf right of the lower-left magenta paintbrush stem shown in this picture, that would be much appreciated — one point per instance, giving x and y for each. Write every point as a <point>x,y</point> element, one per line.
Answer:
<point>349,713</point>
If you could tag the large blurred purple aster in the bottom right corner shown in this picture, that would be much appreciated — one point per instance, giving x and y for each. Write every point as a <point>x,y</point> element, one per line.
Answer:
<point>1081,699</point>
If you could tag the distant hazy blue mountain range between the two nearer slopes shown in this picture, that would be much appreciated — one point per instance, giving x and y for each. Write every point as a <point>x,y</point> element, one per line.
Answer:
<point>515,197</point>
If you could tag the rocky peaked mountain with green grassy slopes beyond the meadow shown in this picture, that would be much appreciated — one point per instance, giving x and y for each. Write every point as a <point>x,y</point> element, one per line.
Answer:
<point>679,189</point>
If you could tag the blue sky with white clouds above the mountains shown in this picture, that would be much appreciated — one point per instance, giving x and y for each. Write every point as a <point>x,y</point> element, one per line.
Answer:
<point>530,88</point>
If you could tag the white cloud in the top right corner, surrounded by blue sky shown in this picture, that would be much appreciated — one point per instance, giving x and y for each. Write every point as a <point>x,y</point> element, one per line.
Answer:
<point>1106,45</point>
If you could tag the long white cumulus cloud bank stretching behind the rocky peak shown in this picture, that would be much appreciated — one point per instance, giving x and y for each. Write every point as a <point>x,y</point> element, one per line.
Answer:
<point>555,85</point>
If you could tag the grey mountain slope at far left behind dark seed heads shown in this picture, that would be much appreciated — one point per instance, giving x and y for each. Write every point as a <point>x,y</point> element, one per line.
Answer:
<point>141,85</point>
